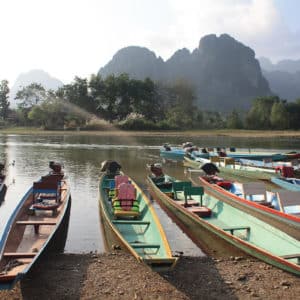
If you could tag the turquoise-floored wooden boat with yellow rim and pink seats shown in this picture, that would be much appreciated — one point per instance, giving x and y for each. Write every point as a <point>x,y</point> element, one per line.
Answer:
<point>136,228</point>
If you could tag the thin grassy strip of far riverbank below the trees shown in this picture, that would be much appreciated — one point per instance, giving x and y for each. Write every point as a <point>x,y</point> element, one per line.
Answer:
<point>187,134</point>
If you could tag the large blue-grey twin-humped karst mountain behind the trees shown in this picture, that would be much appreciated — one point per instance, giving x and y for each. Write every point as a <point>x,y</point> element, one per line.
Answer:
<point>225,73</point>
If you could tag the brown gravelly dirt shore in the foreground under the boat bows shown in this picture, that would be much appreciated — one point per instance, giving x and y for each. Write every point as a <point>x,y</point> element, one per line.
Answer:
<point>118,275</point>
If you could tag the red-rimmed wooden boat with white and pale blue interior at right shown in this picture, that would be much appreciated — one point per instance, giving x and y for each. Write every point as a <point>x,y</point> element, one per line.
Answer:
<point>252,198</point>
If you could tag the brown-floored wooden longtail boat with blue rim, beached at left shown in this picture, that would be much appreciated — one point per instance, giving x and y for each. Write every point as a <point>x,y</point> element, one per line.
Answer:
<point>37,226</point>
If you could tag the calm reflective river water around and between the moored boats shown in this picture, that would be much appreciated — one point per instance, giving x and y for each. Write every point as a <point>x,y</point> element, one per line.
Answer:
<point>82,157</point>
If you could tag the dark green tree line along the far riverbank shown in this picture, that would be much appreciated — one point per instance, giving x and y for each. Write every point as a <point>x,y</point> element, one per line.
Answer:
<point>132,104</point>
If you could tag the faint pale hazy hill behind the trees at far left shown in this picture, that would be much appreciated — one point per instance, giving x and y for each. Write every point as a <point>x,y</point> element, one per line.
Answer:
<point>33,76</point>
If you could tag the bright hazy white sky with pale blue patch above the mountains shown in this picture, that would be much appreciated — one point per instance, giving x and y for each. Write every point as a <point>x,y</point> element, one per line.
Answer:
<point>76,37</point>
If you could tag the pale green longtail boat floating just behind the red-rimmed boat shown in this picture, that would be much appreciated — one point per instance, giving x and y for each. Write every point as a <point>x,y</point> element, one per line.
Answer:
<point>228,165</point>
